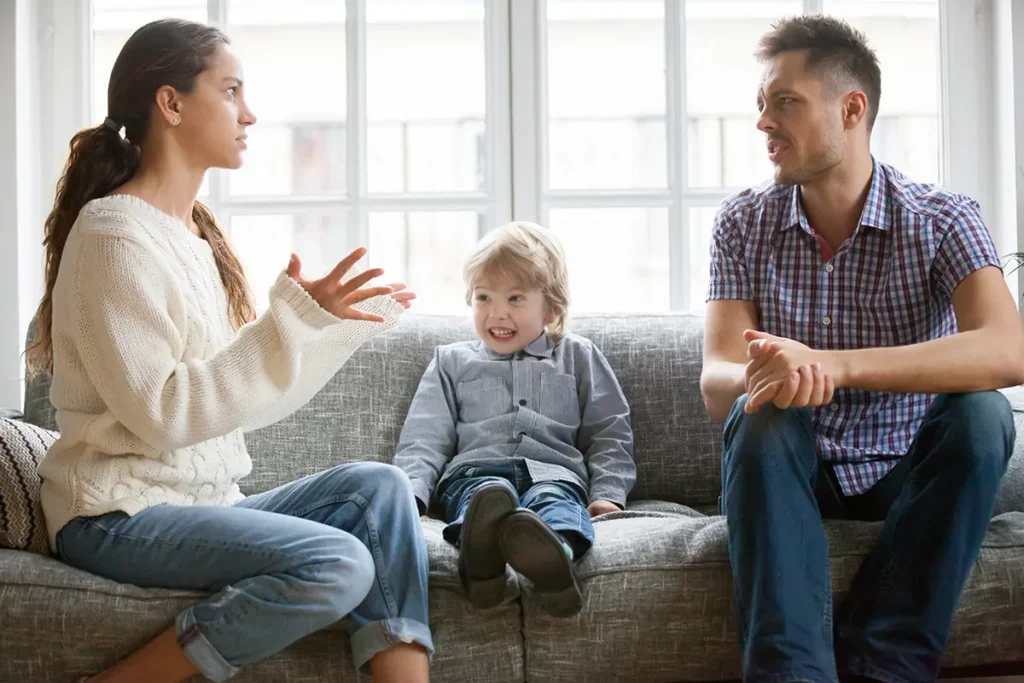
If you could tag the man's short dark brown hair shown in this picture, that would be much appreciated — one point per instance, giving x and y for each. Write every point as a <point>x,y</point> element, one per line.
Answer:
<point>835,50</point>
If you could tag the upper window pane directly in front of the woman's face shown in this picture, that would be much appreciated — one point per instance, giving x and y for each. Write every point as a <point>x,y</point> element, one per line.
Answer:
<point>294,66</point>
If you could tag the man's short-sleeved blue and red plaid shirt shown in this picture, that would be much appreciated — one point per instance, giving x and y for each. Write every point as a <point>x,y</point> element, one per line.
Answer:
<point>889,285</point>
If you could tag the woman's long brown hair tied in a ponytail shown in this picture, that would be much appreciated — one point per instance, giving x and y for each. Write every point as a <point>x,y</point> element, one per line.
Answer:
<point>166,53</point>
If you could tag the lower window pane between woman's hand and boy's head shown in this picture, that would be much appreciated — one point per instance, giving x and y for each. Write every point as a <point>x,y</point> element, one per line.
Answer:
<point>426,250</point>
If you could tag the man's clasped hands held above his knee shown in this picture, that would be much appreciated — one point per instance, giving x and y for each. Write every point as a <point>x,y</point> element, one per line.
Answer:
<point>786,373</point>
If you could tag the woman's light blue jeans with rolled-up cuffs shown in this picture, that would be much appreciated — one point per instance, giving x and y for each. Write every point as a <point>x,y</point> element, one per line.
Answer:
<point>282,565</point>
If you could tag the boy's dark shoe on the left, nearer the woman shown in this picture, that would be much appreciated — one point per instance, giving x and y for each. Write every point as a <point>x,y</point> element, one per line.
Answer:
<point>482,566</point>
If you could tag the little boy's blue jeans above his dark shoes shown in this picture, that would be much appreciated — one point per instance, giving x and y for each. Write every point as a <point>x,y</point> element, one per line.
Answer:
<point>563,505</point>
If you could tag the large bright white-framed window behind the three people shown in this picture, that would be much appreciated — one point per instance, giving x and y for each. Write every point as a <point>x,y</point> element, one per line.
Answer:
<point>414,126</point>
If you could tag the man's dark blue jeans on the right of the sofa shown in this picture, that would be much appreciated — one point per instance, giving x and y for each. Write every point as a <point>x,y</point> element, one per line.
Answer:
<point>936,504</point>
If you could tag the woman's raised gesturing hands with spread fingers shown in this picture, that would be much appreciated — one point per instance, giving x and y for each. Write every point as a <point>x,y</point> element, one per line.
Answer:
<point>338,296</point>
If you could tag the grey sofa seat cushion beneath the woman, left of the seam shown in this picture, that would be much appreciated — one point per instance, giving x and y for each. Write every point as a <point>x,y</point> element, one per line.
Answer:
<point>58,623</point>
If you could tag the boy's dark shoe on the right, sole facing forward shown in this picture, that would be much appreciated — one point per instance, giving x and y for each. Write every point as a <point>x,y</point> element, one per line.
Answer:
<point>539,554</point>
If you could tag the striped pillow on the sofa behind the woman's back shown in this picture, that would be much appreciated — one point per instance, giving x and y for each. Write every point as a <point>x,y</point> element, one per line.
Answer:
<point>22,524</point>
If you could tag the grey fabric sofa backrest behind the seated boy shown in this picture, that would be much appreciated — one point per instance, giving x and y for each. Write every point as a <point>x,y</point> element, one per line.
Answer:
<point>360,414</point>
